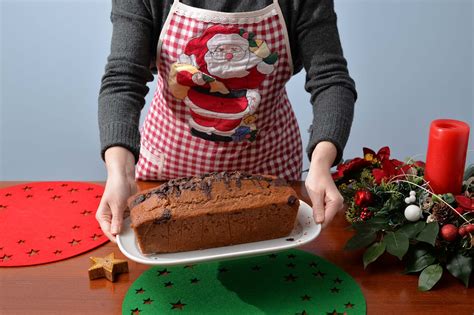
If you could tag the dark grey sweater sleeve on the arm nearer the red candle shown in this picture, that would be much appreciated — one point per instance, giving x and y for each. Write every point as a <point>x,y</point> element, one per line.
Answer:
<point>332,90</point>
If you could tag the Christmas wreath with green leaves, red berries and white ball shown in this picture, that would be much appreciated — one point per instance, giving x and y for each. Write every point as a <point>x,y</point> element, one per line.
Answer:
<point>393,209</point>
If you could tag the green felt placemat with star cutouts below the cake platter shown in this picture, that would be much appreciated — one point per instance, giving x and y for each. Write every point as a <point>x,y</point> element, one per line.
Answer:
<point>289,282</point>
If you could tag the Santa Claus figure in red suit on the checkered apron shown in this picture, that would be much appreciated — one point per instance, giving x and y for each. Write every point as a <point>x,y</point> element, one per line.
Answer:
<point>218,76</point>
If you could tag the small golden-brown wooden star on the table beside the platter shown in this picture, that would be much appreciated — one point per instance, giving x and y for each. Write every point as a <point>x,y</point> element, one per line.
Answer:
<point>107,267</point>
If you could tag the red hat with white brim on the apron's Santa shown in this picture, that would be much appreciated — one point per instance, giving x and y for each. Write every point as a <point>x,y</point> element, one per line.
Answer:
<point>199,46</point>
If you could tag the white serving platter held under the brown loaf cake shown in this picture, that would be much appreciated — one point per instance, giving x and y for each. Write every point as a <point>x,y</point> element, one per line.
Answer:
<point>306,230</point>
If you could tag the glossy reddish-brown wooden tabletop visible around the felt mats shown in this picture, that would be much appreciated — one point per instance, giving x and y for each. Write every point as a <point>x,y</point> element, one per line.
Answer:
<point>64,288</point>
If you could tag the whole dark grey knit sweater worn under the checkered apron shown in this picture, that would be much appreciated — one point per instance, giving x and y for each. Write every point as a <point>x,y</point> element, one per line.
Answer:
<point>314,42</point>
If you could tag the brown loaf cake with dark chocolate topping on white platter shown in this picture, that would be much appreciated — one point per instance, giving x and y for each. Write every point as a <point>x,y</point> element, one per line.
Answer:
<point>212,210</point>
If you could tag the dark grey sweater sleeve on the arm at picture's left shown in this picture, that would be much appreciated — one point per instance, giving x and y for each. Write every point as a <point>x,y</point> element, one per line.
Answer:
<point>123,87</point>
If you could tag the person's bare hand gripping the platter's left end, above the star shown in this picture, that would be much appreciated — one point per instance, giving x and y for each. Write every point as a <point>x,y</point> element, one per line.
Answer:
<point>120,185</point>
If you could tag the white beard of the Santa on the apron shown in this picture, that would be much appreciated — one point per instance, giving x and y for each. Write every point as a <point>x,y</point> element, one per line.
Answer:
<point>227,69</point>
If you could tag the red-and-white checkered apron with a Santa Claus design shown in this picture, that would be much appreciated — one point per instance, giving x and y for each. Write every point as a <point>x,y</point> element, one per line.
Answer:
<point>207,116</point>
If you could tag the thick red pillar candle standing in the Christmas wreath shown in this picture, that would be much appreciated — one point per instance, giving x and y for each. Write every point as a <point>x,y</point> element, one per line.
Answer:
<point>446,157</point>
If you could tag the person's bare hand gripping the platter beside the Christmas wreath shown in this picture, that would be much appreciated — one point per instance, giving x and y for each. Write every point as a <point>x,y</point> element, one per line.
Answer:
<point>324,195</point>
